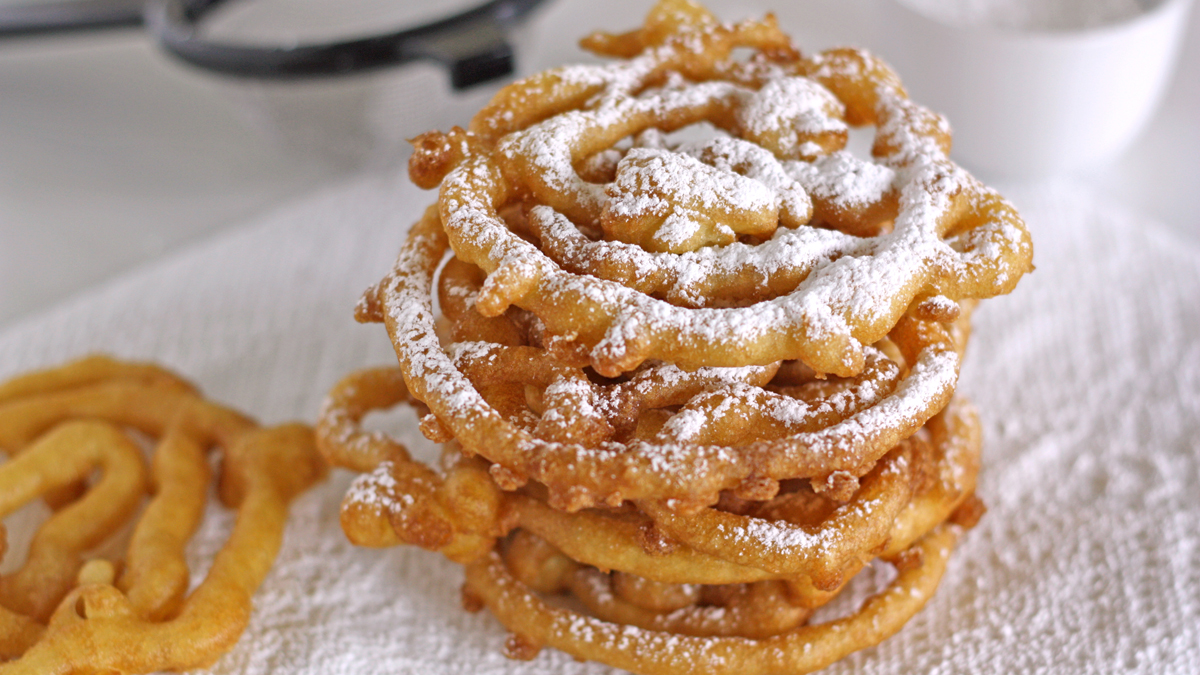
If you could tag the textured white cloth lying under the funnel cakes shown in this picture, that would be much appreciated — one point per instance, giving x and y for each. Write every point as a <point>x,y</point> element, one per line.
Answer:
<point>1088,379</point>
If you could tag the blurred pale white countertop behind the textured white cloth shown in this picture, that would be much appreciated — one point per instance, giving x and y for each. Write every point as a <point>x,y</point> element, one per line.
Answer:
<point>112,154</point>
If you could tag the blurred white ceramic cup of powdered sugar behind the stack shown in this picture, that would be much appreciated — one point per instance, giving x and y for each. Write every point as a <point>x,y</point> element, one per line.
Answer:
<point>1027,103</point>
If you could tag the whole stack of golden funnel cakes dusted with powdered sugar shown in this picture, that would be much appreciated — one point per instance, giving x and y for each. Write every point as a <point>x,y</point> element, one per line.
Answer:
<point>695,362</point>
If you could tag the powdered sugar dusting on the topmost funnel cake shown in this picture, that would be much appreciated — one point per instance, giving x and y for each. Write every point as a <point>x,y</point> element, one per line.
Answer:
<point>842,298</point>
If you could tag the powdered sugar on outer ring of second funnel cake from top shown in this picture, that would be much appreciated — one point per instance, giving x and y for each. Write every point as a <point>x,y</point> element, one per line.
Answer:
<point>452,397</point>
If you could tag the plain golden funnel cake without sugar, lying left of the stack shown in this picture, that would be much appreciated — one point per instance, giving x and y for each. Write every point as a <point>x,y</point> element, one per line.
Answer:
<point>68,610</point>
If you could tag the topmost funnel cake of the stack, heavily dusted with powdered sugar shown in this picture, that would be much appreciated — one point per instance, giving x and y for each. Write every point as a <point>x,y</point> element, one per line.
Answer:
<point>946,235</point>
